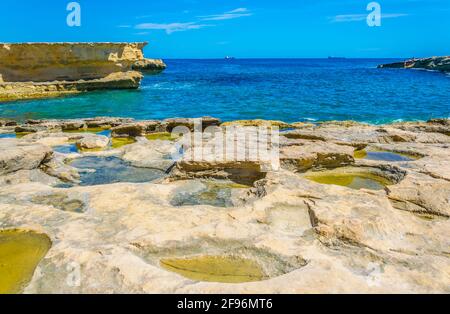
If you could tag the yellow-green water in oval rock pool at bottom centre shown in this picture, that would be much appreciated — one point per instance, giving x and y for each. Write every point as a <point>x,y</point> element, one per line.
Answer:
<point>224,269</point>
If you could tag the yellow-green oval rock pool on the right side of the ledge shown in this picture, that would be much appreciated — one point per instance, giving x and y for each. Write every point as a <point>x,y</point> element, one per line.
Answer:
<point>353,180</point>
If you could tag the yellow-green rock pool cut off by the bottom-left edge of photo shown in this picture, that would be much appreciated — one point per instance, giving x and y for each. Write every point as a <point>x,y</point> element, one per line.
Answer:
<point>20,253</point>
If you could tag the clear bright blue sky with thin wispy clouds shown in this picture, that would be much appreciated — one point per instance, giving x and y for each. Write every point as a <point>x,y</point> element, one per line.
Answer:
<point>240,28</point>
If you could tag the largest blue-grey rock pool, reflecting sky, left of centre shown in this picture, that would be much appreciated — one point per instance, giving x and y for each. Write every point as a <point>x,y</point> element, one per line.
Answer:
<point>105,170</point>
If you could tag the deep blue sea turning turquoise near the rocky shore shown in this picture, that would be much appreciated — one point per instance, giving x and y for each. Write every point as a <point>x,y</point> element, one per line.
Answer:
<point>278,89</point>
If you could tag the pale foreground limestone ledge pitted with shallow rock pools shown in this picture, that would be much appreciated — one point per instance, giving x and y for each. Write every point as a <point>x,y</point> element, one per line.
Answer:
<point>354,208</point>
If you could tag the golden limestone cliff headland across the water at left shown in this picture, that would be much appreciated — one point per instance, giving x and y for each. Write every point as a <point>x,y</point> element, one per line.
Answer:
<point>40,70</point>
